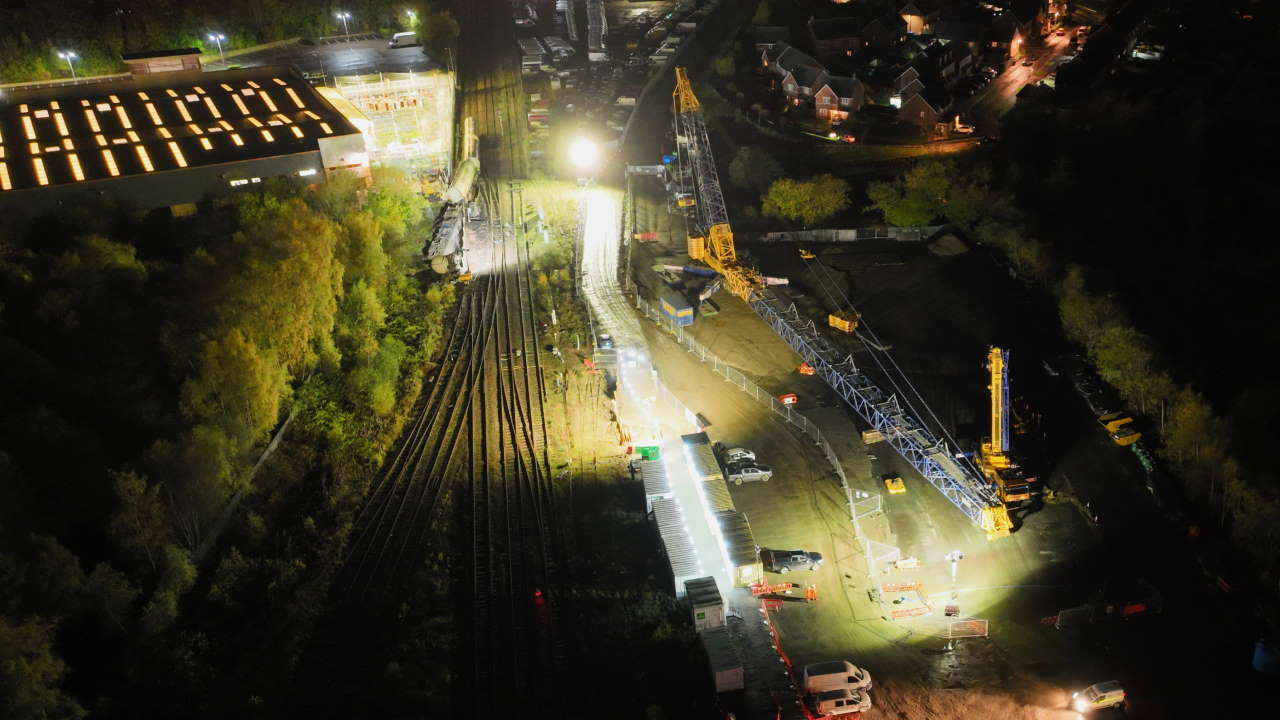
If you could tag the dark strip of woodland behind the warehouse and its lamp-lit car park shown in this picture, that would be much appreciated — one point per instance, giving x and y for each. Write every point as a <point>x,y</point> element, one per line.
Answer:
<point>100,30</point>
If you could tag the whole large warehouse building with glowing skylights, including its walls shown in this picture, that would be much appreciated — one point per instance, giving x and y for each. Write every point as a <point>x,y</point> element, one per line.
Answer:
<point>170,135</point>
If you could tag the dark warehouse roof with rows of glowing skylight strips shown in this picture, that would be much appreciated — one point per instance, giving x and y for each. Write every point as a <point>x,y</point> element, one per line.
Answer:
<point>159,122</point>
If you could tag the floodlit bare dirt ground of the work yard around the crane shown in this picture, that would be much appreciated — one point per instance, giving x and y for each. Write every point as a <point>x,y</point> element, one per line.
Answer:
<point>926,307</point>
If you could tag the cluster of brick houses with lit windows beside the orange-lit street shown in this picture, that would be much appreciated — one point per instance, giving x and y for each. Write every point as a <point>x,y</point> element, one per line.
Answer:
<point>907,54</point>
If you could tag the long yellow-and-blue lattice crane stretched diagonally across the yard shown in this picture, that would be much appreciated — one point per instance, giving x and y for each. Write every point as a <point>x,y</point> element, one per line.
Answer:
<point>711,240</point>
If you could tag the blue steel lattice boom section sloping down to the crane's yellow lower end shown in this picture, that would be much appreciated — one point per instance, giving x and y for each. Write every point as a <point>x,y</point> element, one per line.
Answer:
<point>927,454</point>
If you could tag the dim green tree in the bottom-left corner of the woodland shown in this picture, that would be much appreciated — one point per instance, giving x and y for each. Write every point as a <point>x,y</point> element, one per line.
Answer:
<point>31,675</point>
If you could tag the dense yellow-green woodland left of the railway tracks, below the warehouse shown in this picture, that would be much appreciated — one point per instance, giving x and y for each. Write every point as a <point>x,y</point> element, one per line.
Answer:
<point>145,363</point>
